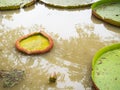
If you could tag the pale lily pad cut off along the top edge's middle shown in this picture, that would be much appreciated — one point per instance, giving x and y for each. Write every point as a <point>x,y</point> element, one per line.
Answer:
<point>68,3</point>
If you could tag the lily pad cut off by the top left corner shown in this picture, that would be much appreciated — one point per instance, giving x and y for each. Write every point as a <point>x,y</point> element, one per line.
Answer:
<point>15,4</point>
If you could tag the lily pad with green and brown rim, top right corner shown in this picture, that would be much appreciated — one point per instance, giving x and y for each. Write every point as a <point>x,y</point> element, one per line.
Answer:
<point>108,11</point>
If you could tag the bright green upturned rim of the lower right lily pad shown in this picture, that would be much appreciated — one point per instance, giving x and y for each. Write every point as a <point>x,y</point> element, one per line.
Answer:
<point>97,55</point>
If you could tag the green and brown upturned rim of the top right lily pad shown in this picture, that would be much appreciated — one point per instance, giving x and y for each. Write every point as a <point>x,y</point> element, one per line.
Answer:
<point>110,21</point>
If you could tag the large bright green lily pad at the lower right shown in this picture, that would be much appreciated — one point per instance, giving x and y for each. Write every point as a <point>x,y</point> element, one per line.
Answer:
<point>106,68</point>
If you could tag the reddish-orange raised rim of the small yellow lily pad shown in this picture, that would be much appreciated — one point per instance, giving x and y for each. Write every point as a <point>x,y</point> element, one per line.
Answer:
<point>17,44</point>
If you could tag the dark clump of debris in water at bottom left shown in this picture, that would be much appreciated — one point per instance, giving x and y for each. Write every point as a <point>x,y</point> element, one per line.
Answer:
<point>11,78</point>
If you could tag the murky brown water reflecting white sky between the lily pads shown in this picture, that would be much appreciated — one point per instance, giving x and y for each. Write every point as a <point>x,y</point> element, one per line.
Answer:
<point>77,37</point>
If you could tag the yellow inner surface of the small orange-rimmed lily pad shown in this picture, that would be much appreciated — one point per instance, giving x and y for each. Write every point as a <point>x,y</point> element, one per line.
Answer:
<point>35,42</point>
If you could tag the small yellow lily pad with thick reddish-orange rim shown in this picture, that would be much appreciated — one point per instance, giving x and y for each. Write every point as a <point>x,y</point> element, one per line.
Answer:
<point>35,43</point>
